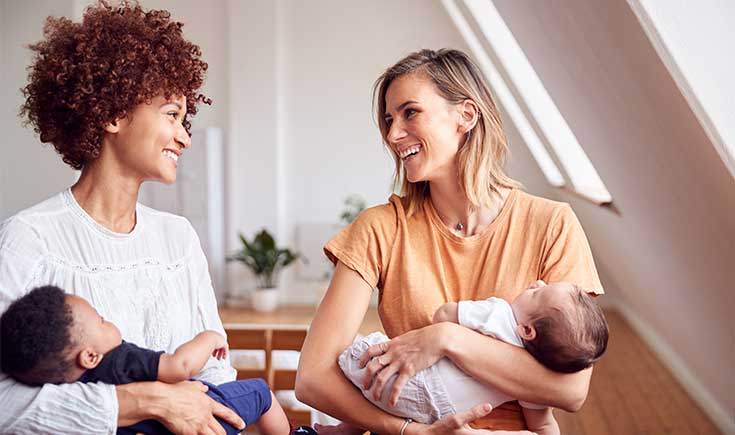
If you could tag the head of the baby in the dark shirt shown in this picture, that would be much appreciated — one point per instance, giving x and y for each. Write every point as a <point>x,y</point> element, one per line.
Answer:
<point>48,336</point>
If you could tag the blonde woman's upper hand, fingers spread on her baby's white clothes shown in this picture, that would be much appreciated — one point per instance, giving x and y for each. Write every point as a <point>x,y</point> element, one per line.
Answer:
<point>405,355</point>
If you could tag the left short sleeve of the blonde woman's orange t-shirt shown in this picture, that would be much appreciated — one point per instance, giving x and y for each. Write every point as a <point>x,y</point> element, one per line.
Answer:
<point>365,245</point>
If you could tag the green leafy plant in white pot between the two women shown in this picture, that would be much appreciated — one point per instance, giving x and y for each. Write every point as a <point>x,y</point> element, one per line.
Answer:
<point>265,260</point>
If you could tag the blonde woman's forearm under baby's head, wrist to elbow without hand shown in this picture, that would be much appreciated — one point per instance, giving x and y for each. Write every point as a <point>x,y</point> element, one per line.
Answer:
<point>513,370</point>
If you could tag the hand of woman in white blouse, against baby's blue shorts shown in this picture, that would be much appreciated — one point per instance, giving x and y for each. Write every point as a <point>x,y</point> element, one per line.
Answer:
<point>188,411</point>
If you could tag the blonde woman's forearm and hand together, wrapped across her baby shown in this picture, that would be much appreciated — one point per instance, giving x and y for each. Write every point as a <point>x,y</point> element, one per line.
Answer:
<point>505,367</point>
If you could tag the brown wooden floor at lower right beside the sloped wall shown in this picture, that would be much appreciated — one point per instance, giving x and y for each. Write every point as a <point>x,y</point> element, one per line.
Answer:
<point>633,393</point>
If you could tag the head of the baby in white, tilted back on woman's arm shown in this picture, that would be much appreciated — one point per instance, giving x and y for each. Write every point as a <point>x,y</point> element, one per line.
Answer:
<point>561,326</point>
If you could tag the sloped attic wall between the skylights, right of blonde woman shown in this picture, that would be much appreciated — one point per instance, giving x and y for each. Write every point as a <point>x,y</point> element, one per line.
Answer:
<point>668,250</point>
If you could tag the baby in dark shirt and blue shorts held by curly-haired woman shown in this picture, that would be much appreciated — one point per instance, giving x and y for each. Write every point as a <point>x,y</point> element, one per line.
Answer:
<point>48,336</point>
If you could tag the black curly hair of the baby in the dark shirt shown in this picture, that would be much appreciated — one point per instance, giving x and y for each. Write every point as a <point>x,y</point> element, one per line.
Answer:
<point>35,334</point>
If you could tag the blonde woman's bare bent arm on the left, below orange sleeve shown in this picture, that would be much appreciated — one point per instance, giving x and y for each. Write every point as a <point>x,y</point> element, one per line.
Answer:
<point>319,380</point>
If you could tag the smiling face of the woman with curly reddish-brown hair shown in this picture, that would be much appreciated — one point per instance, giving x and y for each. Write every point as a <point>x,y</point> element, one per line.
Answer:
<point>148,142</point>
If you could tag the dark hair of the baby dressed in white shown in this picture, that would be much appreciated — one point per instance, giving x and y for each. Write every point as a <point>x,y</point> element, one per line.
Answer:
<point>570,338</point>
